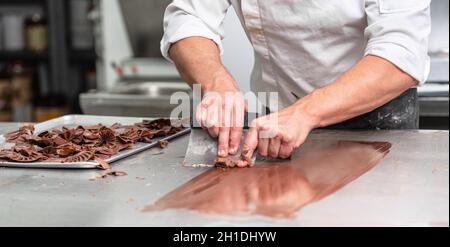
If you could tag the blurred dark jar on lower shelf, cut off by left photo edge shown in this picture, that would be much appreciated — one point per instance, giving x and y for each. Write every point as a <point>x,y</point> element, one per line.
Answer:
<point>5,97</point>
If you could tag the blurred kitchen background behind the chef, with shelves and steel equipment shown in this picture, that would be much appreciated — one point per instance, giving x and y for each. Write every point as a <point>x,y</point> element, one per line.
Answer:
<point>102,57</point>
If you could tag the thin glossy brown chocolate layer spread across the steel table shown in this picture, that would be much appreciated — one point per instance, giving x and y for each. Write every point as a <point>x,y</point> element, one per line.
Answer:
<point>279,190</point>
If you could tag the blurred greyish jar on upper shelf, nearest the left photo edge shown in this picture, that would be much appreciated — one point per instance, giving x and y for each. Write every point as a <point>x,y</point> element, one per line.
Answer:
<point>13,32</point>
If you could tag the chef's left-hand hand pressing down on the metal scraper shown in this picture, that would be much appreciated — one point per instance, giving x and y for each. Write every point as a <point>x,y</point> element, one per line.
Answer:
<point>221,113</point>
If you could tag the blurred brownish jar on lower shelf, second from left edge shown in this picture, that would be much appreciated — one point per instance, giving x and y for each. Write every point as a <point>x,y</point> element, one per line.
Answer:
<point>21,83</point>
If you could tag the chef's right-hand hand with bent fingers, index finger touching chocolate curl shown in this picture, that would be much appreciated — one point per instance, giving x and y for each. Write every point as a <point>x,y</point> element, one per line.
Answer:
<point>277,135</point>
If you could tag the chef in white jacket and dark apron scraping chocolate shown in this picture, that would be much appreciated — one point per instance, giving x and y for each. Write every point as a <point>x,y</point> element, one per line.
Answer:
<point>352,64</point>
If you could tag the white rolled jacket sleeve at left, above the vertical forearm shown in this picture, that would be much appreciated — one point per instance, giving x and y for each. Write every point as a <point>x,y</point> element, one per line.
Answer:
<point>189,18</point>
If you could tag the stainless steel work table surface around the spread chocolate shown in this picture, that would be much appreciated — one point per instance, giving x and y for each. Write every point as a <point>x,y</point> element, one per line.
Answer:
<point>410,187</point>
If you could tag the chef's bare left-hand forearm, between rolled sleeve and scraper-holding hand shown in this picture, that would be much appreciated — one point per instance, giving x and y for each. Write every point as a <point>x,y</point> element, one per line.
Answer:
<point>198,61</point>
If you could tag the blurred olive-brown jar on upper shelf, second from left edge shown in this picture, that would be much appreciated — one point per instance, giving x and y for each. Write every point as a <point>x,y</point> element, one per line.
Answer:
<point>36,32</point>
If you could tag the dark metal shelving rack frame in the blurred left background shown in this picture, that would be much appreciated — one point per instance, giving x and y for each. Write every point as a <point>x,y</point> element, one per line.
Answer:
<point>61,59</point>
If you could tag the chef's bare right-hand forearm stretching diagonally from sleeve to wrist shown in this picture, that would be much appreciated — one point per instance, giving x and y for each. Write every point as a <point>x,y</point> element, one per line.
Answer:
<point>368,85</point>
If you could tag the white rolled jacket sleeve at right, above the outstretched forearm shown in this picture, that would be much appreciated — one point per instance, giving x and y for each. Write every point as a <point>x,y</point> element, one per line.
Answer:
<point>398,31</point>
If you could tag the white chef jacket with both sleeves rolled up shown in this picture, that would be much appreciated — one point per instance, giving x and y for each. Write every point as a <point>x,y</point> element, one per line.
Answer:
<point>302,45</point>
